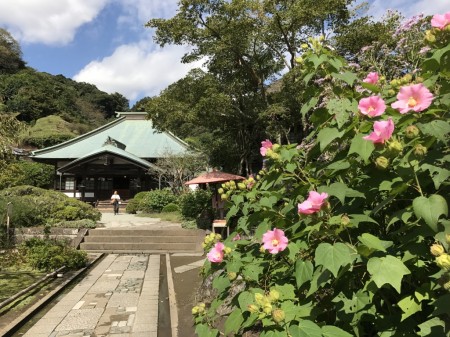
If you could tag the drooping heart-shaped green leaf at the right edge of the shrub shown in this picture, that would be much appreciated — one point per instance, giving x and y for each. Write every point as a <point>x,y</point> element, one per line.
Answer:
<point>430,209</point>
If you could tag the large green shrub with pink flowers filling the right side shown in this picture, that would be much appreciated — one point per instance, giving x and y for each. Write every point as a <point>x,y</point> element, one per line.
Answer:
<point>347,233</point>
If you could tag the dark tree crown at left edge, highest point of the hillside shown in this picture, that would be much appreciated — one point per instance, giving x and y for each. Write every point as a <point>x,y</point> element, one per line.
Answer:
<point>10,54</point>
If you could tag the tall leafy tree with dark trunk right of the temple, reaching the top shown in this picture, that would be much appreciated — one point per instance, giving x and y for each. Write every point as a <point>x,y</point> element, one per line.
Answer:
<point>246,44</point>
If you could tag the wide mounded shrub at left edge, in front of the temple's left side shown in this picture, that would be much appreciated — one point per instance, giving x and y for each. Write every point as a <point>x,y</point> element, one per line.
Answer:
<point>34,206</point>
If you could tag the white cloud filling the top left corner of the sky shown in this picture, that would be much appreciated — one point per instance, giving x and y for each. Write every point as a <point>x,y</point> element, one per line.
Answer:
<point>52,22</point>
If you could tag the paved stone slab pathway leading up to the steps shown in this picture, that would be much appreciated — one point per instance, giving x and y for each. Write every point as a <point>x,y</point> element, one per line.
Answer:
<point>118,298</point>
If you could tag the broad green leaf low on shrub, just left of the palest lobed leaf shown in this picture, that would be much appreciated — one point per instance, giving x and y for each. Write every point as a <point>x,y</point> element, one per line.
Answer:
<point>333,257</point>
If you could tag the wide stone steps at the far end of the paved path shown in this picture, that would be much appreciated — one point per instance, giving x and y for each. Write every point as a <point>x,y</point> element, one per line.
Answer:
<point>133,240</point>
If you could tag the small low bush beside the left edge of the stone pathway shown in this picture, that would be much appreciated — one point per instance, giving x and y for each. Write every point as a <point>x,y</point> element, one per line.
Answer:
<point>49,255</point>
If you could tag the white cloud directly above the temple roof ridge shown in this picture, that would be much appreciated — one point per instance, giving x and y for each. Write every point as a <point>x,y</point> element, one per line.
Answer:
<point>135,71</point>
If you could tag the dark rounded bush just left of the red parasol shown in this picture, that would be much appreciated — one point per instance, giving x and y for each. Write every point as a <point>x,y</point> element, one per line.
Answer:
<point>197,206</point>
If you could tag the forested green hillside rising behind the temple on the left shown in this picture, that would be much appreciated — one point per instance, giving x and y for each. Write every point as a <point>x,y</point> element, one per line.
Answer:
<point>30,95</point>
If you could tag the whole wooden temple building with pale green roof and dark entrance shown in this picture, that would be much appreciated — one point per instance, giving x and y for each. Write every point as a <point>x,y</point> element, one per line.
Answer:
<point>114,157</point>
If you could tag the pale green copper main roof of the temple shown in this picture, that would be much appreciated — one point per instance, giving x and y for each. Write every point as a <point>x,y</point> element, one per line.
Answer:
<point>130,129</point>
